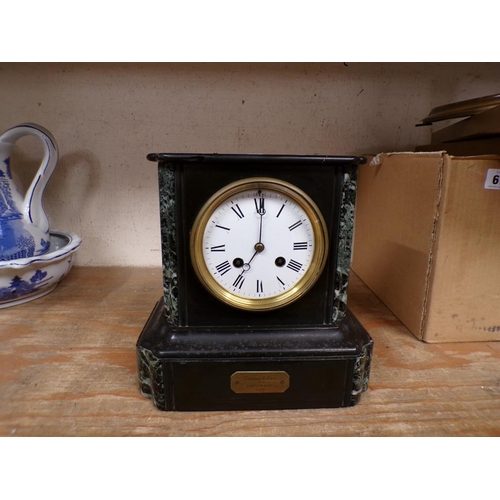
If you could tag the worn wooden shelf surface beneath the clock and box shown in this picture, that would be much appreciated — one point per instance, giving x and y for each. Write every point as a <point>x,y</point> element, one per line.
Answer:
<point>68,368</point>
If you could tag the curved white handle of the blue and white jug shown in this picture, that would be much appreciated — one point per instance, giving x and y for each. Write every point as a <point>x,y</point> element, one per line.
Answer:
<point>33,209</point>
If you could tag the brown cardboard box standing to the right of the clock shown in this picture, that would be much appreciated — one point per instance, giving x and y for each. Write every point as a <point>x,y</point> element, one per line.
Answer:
<point>427,242</point>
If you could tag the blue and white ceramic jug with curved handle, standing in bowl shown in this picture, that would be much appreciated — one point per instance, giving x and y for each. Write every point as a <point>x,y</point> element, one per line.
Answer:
<point>24,227</point>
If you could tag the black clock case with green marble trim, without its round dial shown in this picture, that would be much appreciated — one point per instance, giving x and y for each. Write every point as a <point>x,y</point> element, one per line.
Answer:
<point>197,353</point>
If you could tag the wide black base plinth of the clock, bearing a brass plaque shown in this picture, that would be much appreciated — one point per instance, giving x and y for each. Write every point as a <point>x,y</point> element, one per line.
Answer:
<point>205,369</point>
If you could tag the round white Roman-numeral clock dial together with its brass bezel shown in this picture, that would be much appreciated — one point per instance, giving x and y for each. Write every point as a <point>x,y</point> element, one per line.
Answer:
<point>259,244</point>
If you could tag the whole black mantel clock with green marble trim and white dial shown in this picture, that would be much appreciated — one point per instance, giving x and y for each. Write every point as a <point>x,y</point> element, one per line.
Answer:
<point>256,254</point>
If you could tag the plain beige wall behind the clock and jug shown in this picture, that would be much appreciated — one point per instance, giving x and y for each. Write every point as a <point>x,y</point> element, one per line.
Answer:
<point>107,117</point>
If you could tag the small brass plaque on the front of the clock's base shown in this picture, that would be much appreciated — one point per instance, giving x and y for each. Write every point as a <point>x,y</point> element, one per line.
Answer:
<point>260,382</point>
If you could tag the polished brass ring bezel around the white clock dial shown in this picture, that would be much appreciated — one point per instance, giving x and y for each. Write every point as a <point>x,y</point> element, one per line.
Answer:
<point>310,277</point>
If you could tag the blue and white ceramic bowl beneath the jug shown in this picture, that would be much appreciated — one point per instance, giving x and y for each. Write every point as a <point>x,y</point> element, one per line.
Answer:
<point>22,280</point>
